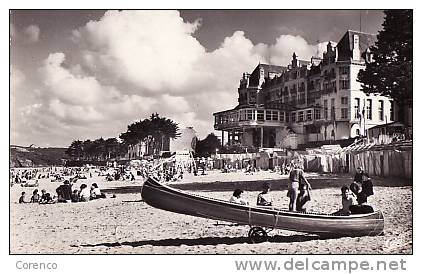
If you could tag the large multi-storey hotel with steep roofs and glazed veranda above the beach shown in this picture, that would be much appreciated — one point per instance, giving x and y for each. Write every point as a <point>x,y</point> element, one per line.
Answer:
<point>307,102</point>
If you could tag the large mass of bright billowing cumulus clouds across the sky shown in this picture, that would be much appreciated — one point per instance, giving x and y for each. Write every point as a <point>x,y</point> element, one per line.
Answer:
<point>129,64</point>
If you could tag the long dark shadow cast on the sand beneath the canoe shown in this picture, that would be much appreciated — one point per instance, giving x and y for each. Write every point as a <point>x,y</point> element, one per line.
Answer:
<point>209,241</point>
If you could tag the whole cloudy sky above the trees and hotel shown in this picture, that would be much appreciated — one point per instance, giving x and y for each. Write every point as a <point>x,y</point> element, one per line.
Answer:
<point>86,74</point>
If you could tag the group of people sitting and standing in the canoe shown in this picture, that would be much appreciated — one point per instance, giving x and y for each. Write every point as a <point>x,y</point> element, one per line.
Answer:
<point>354,198</point>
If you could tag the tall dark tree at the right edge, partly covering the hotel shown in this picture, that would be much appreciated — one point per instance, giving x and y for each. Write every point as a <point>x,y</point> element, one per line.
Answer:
<point>390,72</point>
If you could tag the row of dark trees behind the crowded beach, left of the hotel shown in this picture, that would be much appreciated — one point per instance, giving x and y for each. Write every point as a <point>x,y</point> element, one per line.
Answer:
<point>155,131</point>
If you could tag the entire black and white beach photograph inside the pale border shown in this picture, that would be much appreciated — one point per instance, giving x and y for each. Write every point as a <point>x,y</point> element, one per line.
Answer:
<point>211,131</point>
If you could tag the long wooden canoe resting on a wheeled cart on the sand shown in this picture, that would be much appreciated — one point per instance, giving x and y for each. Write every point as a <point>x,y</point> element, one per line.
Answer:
<point>163,197</point>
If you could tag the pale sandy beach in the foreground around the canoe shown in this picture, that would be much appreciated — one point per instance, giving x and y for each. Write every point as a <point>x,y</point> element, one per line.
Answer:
<point>127,225</point>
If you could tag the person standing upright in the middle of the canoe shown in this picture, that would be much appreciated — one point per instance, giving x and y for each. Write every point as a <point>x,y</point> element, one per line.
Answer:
<point>297,178</point>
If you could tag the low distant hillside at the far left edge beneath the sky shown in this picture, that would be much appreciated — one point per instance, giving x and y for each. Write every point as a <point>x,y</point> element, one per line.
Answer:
<point>34,157</point>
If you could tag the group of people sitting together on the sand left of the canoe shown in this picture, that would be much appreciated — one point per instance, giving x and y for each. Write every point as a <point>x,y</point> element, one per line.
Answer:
<point>65,194</point>
